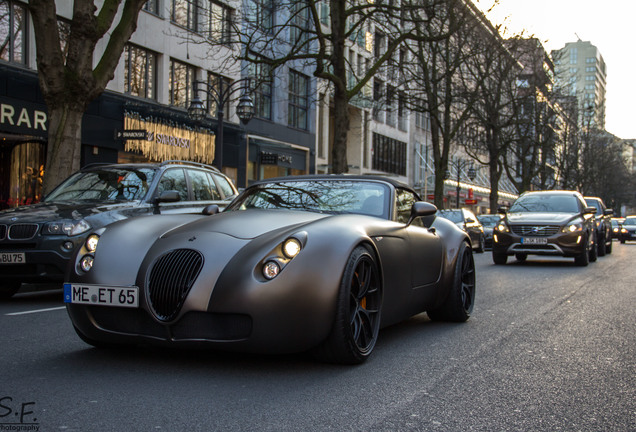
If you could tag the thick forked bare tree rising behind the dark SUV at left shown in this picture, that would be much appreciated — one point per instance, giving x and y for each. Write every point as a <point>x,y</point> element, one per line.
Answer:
<point>68,76</point>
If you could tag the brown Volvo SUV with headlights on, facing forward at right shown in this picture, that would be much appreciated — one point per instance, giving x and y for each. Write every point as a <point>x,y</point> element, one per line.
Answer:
<point>558,223</point>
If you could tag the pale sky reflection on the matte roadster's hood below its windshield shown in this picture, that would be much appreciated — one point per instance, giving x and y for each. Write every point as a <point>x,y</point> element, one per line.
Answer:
<point>248,224</point>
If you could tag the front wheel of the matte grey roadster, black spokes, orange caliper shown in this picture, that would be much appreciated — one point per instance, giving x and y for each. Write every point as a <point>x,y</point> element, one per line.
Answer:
<point>357,322</point>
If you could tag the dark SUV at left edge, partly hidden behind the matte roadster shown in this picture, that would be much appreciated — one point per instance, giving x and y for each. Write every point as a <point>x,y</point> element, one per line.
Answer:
<point>37,241</point>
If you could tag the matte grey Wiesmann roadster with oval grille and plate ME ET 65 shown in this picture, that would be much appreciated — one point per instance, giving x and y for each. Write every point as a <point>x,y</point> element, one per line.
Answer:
<point>311,263</point>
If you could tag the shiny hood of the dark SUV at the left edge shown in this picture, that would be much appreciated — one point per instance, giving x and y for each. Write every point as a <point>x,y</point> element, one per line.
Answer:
<point>53,211</point>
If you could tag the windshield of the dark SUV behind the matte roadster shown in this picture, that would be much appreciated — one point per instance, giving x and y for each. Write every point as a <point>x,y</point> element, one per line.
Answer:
<point>107,184</point>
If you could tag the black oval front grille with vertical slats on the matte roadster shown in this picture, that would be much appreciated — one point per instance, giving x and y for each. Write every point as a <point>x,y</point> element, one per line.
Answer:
<point>171,278</point>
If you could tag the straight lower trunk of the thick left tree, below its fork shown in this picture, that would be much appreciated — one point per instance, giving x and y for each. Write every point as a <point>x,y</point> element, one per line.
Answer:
<point>64,146</point>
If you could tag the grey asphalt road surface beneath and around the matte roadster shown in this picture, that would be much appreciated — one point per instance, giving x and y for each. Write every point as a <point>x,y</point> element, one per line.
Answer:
<point>550,347</point>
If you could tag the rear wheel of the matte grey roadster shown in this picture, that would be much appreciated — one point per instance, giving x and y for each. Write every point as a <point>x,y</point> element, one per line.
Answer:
<point>461,298</point>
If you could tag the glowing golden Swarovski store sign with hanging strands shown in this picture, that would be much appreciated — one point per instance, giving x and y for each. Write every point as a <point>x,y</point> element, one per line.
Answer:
<point>161,141</point>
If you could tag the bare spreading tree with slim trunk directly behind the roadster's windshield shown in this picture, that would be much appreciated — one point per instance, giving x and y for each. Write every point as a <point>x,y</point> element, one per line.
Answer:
<point>318,33</point>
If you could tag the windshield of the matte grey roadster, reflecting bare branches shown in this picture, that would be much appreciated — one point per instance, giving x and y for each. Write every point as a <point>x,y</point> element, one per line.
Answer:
<point>327,196</point>
